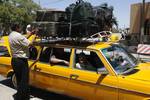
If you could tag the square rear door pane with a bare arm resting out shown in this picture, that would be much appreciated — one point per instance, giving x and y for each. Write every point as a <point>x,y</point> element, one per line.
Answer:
<point>60,56</point>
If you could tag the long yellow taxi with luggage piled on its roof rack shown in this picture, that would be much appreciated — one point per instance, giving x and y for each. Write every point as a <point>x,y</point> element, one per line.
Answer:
<point>85,70</point>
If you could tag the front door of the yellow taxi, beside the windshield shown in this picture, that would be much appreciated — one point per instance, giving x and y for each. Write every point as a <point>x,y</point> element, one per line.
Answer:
<point>91,84</point>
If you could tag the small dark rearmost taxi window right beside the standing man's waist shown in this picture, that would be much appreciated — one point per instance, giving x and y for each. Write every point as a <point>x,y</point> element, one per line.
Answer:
<point>33,53</point>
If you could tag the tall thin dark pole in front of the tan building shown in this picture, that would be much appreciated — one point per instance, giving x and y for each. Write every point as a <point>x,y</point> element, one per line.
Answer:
<point>142,22</point>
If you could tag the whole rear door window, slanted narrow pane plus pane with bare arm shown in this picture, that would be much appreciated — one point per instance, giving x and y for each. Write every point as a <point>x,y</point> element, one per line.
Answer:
<point>55,56</point>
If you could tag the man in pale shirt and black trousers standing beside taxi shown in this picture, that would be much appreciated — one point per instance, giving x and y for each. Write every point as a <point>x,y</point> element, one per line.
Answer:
<point>19,49</point>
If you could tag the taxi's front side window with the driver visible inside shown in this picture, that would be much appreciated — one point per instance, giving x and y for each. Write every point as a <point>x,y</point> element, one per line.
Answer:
<point>88,60</point>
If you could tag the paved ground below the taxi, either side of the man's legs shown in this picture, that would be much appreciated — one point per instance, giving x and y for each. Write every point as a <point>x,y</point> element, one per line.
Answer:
<point>6,92</point>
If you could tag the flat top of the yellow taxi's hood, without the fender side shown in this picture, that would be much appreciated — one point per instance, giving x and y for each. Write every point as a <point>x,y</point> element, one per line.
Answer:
<point>141,72</point>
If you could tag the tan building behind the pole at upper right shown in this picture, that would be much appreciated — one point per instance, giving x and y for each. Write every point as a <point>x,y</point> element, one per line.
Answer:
<point>136,19</point>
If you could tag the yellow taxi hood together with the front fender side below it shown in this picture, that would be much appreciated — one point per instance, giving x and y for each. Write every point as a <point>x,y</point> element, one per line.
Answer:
<point>137,80</point>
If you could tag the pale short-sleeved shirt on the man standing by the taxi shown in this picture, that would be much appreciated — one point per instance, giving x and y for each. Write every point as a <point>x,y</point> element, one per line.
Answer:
<point>18,45</point>
